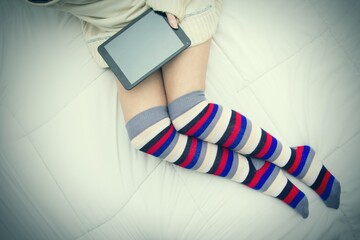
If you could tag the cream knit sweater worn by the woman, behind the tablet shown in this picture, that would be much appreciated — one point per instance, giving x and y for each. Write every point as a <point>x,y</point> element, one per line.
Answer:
<point>102,19</point>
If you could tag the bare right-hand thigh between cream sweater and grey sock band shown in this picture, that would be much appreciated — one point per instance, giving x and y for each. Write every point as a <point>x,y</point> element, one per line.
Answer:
<point>186,72</point>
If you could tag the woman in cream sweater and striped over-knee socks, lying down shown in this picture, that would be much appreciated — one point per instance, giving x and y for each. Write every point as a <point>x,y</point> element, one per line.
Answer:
<point>176,122</point>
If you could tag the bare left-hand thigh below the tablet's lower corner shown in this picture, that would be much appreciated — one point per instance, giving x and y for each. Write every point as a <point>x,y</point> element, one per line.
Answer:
<point>150,93</point>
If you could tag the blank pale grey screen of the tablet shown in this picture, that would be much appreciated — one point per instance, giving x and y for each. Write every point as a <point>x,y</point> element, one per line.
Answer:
<point>138,54</point>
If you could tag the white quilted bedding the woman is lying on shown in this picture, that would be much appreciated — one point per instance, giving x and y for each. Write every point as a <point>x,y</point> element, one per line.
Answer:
<point>68,171</point>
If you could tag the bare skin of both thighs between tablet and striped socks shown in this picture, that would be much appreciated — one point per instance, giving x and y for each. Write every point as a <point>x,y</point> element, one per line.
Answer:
<point>184,74</point>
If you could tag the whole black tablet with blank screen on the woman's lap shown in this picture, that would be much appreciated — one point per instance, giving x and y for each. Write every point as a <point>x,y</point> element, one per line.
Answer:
<point>142,47</point>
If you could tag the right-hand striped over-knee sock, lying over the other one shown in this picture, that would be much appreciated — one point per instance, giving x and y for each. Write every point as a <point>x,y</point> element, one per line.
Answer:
<point>192,115</point>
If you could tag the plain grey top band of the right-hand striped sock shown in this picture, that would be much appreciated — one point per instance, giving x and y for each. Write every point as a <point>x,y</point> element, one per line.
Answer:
<point>185,102</point>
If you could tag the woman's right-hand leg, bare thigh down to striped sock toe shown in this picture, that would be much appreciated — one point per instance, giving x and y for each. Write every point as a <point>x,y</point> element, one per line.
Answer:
<point>194,116</point>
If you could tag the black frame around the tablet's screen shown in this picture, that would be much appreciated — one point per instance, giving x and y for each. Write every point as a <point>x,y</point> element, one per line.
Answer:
<point>115,68</point>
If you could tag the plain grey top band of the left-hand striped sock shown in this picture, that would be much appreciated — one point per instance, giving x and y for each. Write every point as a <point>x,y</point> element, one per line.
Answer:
<point>145,119</point>
